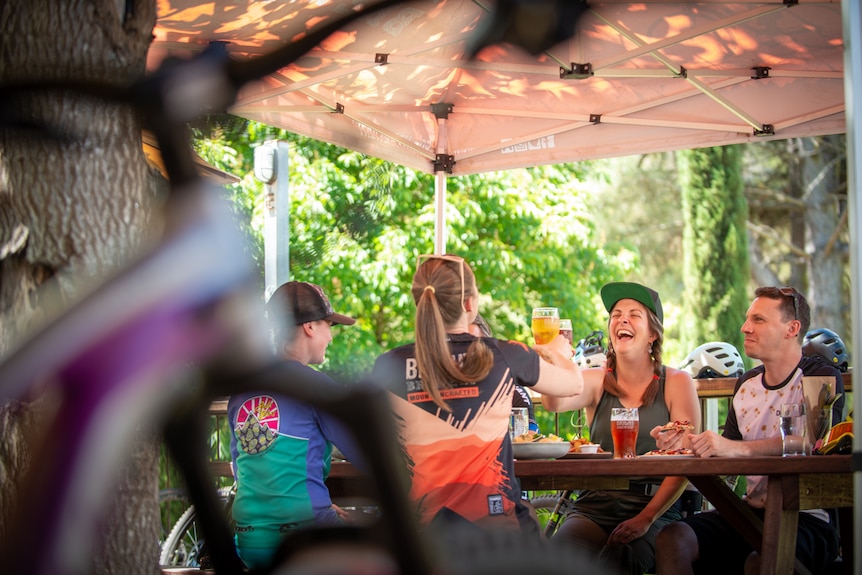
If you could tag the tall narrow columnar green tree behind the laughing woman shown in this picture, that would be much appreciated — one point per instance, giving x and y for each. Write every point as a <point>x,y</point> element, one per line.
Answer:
<point>715,245</point>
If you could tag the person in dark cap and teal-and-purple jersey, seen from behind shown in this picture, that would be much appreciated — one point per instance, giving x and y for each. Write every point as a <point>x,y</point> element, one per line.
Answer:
<point>281,448</point>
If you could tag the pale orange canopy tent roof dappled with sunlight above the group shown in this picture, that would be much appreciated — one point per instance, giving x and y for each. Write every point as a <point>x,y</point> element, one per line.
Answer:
<point>637,77</point>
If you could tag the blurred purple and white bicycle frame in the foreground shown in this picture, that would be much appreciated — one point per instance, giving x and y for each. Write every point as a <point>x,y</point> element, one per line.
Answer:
<point>121,356</point>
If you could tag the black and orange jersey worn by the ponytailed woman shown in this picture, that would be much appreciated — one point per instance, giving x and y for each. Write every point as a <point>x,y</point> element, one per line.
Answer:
<point>461,461</point>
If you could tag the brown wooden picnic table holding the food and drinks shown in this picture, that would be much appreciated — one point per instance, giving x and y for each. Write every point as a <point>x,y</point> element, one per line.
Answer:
<point>794,483</point>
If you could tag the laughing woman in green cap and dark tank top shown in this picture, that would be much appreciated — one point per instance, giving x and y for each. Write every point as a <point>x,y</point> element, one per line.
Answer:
<point>622,525</point>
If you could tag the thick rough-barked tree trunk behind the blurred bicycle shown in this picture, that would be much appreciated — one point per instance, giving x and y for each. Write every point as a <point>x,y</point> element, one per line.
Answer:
<point>72,209</point>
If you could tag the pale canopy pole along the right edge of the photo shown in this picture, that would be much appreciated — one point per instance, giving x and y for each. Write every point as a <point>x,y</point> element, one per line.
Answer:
<point>852,24</point>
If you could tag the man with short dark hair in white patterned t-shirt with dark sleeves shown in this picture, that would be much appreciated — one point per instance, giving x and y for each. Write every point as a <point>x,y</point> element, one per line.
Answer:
<point>774,327</point>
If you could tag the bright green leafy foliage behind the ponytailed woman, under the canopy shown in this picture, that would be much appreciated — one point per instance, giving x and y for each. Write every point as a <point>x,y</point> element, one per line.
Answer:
<point>358,225</point>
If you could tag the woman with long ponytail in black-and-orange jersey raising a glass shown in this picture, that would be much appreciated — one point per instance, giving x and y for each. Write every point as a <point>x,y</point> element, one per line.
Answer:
<point>452,396</point>
